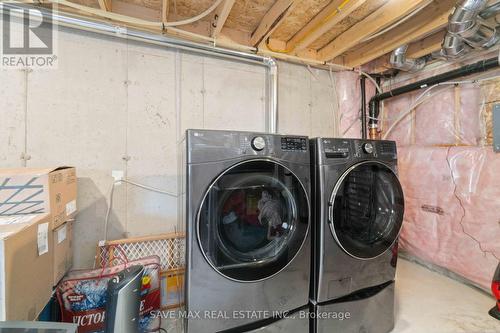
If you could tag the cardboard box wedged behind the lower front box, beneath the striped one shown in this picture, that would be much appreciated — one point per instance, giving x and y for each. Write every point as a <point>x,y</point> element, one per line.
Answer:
<point>63,250</point>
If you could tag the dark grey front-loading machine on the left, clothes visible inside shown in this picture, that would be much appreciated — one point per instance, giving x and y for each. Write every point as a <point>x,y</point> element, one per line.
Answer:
<point>246,204</point>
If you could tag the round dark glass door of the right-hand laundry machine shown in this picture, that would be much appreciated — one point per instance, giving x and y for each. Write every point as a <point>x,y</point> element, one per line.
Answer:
<point>366,210</point>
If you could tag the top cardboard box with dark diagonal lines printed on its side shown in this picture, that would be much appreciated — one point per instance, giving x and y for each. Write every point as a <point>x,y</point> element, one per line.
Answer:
<point>36,191</point>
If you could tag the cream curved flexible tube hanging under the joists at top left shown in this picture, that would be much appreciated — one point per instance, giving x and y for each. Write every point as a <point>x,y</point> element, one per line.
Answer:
<point>127,19</point>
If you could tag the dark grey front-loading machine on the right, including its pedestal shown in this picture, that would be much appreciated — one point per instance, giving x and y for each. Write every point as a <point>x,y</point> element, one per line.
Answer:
<point>358,215</point>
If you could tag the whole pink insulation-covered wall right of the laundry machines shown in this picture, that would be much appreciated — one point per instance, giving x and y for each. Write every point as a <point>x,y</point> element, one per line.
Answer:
<point>450,176</point>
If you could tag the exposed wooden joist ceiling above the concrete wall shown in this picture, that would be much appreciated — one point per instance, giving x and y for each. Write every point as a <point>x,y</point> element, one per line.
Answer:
<point>348,32</point>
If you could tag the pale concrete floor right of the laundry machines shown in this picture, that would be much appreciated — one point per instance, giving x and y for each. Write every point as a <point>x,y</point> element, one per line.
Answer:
<point>429,302</point>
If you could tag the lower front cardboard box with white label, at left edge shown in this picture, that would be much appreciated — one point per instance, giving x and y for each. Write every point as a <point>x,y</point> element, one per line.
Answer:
<point>26,265</point>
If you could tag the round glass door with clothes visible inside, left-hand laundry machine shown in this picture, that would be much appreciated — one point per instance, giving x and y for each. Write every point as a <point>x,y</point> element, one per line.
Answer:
<point>253,220</point>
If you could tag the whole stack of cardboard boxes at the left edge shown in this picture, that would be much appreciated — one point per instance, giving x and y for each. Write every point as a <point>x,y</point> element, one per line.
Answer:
<point>37,207</point>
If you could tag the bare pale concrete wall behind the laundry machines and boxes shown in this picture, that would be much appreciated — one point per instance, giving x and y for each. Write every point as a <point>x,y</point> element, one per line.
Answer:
<point>114,106</point>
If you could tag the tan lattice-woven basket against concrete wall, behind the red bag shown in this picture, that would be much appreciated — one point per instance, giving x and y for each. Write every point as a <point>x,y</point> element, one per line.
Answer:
<point>169,247</point>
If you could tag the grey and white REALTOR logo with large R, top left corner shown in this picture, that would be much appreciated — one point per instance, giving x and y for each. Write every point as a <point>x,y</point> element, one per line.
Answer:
<point>28,37</point>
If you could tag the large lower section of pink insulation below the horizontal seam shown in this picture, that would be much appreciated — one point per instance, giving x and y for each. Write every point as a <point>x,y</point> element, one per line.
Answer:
<point>452,214</point>
